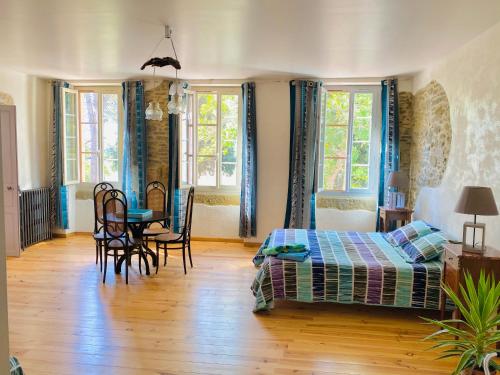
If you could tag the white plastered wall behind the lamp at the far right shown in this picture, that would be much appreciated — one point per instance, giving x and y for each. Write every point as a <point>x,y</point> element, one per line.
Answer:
<point>471,79</point>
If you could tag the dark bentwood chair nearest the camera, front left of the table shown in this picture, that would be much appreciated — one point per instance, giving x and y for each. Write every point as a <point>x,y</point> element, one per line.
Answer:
<point>116,240</point>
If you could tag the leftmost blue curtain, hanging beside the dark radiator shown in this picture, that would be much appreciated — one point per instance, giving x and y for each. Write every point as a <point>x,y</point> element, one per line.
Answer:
<point>59,192</point>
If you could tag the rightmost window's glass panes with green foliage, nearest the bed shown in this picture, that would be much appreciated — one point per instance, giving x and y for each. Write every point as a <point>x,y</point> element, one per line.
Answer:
<point>349,139</point>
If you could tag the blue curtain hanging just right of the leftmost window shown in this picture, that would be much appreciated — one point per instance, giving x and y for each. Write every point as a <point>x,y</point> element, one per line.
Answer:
<point>134,144</point>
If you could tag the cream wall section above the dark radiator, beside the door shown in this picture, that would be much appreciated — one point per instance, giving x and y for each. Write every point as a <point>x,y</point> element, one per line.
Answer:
<point>30,96</point>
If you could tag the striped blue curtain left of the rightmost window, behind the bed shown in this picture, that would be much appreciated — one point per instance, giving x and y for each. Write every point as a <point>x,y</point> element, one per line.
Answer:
<point>304,140</point>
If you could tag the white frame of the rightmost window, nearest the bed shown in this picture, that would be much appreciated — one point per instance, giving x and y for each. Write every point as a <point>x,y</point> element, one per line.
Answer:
<point>373,172</point>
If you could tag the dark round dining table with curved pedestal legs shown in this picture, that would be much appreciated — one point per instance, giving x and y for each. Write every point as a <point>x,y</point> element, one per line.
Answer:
<point>137,226</point>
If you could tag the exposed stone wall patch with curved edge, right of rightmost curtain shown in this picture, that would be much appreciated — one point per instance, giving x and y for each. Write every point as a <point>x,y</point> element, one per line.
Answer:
<point>430,138</point>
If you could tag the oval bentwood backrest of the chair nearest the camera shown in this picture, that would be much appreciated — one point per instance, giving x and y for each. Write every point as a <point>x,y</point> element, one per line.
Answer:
<point>115,215</point>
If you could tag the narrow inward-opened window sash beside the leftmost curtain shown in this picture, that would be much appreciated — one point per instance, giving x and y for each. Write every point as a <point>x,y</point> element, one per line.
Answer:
<point>71,171</point>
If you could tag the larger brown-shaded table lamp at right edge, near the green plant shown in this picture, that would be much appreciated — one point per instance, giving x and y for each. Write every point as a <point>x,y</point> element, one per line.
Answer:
<point>476,200</point>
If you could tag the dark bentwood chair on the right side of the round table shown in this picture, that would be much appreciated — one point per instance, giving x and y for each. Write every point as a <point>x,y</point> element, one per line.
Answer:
<point>178,241</point>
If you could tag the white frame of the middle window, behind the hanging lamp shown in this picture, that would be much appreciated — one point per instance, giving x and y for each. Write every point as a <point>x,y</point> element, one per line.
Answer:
<point>219,91</point>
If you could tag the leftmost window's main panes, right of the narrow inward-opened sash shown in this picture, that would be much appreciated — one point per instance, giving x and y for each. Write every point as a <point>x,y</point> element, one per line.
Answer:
<point>100,113</point>
